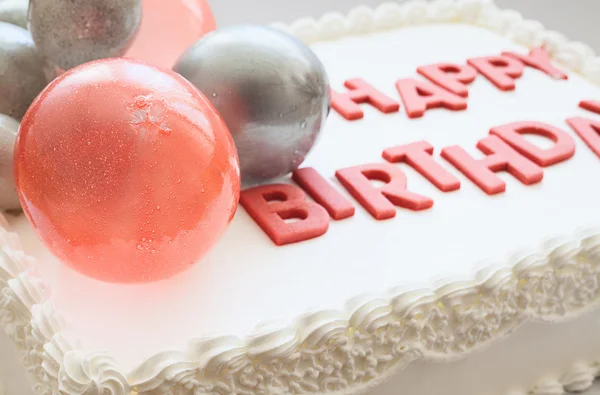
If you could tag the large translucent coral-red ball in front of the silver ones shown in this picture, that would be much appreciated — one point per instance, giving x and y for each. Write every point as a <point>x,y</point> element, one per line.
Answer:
<point>126,171</point>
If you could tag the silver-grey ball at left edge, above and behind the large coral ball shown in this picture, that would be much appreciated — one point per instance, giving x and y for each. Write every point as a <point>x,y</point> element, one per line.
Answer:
<point>21,71</point>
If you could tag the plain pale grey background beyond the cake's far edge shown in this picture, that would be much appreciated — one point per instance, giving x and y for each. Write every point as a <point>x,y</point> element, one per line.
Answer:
<point>577,19</point>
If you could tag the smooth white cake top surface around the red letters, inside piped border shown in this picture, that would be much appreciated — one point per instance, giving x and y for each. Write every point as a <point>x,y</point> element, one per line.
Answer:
<point>246,279</point>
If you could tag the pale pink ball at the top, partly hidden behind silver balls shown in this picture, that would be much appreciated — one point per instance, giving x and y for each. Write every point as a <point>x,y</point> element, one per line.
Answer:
<point>168,28</point>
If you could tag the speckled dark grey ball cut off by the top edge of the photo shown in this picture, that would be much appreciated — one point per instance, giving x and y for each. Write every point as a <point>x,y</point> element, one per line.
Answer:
<point>72,32</point>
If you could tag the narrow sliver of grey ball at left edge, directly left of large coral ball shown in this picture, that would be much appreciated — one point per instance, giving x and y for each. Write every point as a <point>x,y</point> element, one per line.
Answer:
<point>9,200</point>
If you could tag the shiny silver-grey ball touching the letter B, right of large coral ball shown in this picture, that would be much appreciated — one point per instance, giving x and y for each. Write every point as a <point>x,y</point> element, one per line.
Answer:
<point>271,90</point>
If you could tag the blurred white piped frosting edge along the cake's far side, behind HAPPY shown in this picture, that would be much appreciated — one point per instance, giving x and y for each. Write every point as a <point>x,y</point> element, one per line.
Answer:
<point>574,55</point>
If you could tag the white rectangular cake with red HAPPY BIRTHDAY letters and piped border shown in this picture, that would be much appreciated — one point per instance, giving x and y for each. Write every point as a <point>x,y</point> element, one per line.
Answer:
<point>440,236</point>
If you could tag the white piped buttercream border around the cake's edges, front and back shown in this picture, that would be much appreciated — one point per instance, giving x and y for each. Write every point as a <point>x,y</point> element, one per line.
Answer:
<point>375,336</point>
